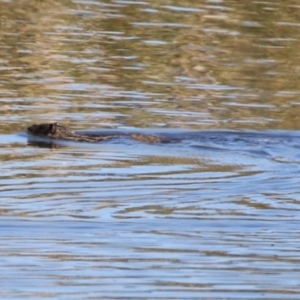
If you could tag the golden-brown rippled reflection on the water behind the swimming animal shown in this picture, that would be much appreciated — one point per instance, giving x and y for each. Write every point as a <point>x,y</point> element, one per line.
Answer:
<point>228,65</point>
